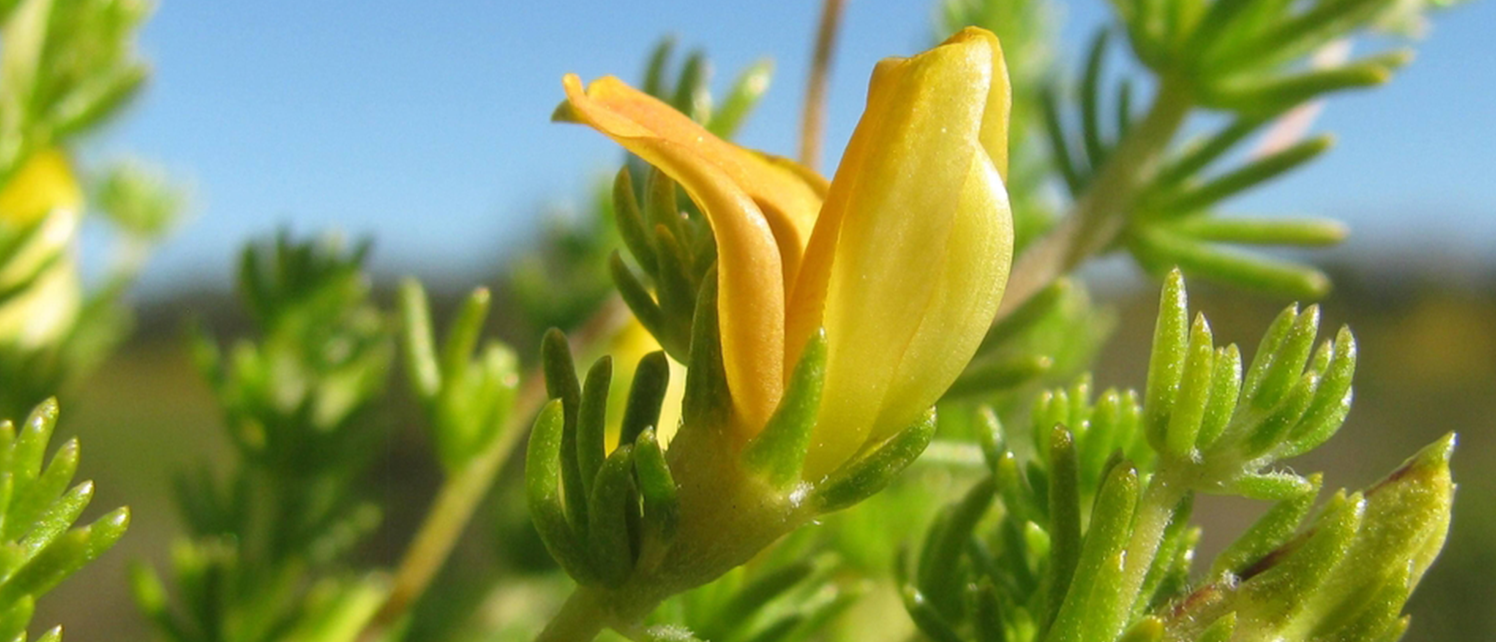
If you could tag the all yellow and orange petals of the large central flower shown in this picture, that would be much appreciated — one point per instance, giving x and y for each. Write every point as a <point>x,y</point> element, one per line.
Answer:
<point>903,258</point>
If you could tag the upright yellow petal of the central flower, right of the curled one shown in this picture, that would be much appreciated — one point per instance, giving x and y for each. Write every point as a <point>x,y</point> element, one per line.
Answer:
<point>912,251</point>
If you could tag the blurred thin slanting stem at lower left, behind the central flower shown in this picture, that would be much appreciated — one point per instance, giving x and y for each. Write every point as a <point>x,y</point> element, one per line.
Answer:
<point>462,493</point>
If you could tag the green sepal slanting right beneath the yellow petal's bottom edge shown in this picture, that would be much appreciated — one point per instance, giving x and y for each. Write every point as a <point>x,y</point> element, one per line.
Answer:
<point>865,477</point>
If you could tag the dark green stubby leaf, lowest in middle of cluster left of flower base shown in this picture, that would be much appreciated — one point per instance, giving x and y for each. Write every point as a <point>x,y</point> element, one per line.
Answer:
<point>613,504</point>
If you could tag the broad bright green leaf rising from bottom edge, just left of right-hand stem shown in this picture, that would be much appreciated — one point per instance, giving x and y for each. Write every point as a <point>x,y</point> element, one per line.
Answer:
<point>1094,608</point>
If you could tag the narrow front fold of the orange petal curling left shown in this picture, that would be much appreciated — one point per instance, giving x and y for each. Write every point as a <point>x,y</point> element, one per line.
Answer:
<point>750,272</point>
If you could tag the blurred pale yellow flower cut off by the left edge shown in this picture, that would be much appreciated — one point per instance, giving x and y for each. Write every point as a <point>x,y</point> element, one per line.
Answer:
<point>44,194</point>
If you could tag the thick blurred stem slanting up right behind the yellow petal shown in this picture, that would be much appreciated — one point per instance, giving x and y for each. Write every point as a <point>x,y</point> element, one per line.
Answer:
<point>1100,216</point>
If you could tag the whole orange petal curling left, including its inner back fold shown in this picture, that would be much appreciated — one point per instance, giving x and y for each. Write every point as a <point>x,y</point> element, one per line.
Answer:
<point>759,210</point>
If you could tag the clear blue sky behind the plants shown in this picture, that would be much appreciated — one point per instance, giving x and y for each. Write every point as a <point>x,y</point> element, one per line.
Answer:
<point>426,123</point>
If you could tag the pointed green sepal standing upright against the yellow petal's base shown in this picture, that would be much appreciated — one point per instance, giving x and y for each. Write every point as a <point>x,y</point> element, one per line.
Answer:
<point>779,451</point>
